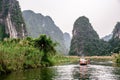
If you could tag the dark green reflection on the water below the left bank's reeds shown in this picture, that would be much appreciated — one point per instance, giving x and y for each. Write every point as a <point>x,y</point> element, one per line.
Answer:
<point>33,74</point>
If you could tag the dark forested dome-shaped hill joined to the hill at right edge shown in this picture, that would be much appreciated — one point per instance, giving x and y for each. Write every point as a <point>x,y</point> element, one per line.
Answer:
<point>85,40</point>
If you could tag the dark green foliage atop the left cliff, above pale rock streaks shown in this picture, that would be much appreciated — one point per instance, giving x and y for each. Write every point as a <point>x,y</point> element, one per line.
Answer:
<point>14,10</point>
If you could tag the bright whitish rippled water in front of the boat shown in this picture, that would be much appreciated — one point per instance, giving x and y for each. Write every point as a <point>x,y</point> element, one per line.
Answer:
<point>89,72</point>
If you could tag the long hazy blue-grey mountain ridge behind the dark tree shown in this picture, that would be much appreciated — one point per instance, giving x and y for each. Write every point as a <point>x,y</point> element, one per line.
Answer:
<point>38,24</point>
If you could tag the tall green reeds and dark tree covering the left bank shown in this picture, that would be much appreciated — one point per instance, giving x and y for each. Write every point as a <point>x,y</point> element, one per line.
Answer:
<point>17,54</point>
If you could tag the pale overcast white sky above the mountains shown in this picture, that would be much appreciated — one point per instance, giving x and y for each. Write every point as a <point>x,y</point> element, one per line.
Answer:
<point>102,14</point>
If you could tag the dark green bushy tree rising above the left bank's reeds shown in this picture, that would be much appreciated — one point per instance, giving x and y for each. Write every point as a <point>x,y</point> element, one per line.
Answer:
<point>46,45</point>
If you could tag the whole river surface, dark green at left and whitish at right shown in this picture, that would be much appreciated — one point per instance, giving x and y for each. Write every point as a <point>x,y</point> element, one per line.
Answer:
<point>93,71</point>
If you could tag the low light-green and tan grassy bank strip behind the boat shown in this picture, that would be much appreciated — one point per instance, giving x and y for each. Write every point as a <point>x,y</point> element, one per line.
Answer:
<point>75,59</point>
